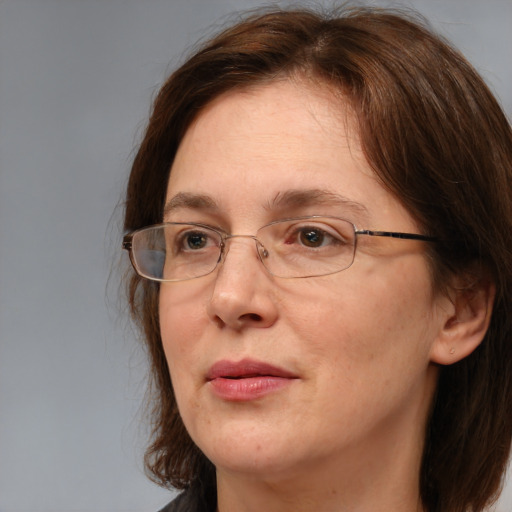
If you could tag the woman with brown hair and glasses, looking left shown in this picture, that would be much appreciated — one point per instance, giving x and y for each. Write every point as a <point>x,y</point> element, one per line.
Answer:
<point>320,224</point>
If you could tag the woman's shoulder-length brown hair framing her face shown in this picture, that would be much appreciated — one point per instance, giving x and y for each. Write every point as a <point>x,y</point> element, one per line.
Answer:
<point>438,140</point>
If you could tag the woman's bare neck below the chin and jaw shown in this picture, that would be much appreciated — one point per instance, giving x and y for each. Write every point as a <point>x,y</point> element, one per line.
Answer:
<point>387,483</point>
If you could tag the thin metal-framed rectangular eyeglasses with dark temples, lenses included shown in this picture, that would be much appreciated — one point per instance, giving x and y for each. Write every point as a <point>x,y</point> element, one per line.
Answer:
<point>291,248</point>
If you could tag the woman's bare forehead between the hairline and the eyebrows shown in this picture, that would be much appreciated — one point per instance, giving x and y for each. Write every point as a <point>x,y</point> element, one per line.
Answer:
<point>248,147</point>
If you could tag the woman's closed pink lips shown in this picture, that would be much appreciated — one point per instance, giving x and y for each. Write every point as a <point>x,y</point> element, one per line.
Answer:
<point>247,379</point>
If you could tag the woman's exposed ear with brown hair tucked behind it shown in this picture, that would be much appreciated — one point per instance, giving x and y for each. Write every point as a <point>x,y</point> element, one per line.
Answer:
<point>465,316</point>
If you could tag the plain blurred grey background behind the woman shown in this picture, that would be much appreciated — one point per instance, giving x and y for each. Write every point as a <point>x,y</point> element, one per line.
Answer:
<point>76,81</point>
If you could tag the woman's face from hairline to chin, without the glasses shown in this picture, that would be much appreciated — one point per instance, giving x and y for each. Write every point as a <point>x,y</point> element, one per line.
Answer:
<point>274,376</point>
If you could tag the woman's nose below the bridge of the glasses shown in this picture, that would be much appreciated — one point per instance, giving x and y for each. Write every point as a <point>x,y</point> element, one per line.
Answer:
<point>243,294</point>
